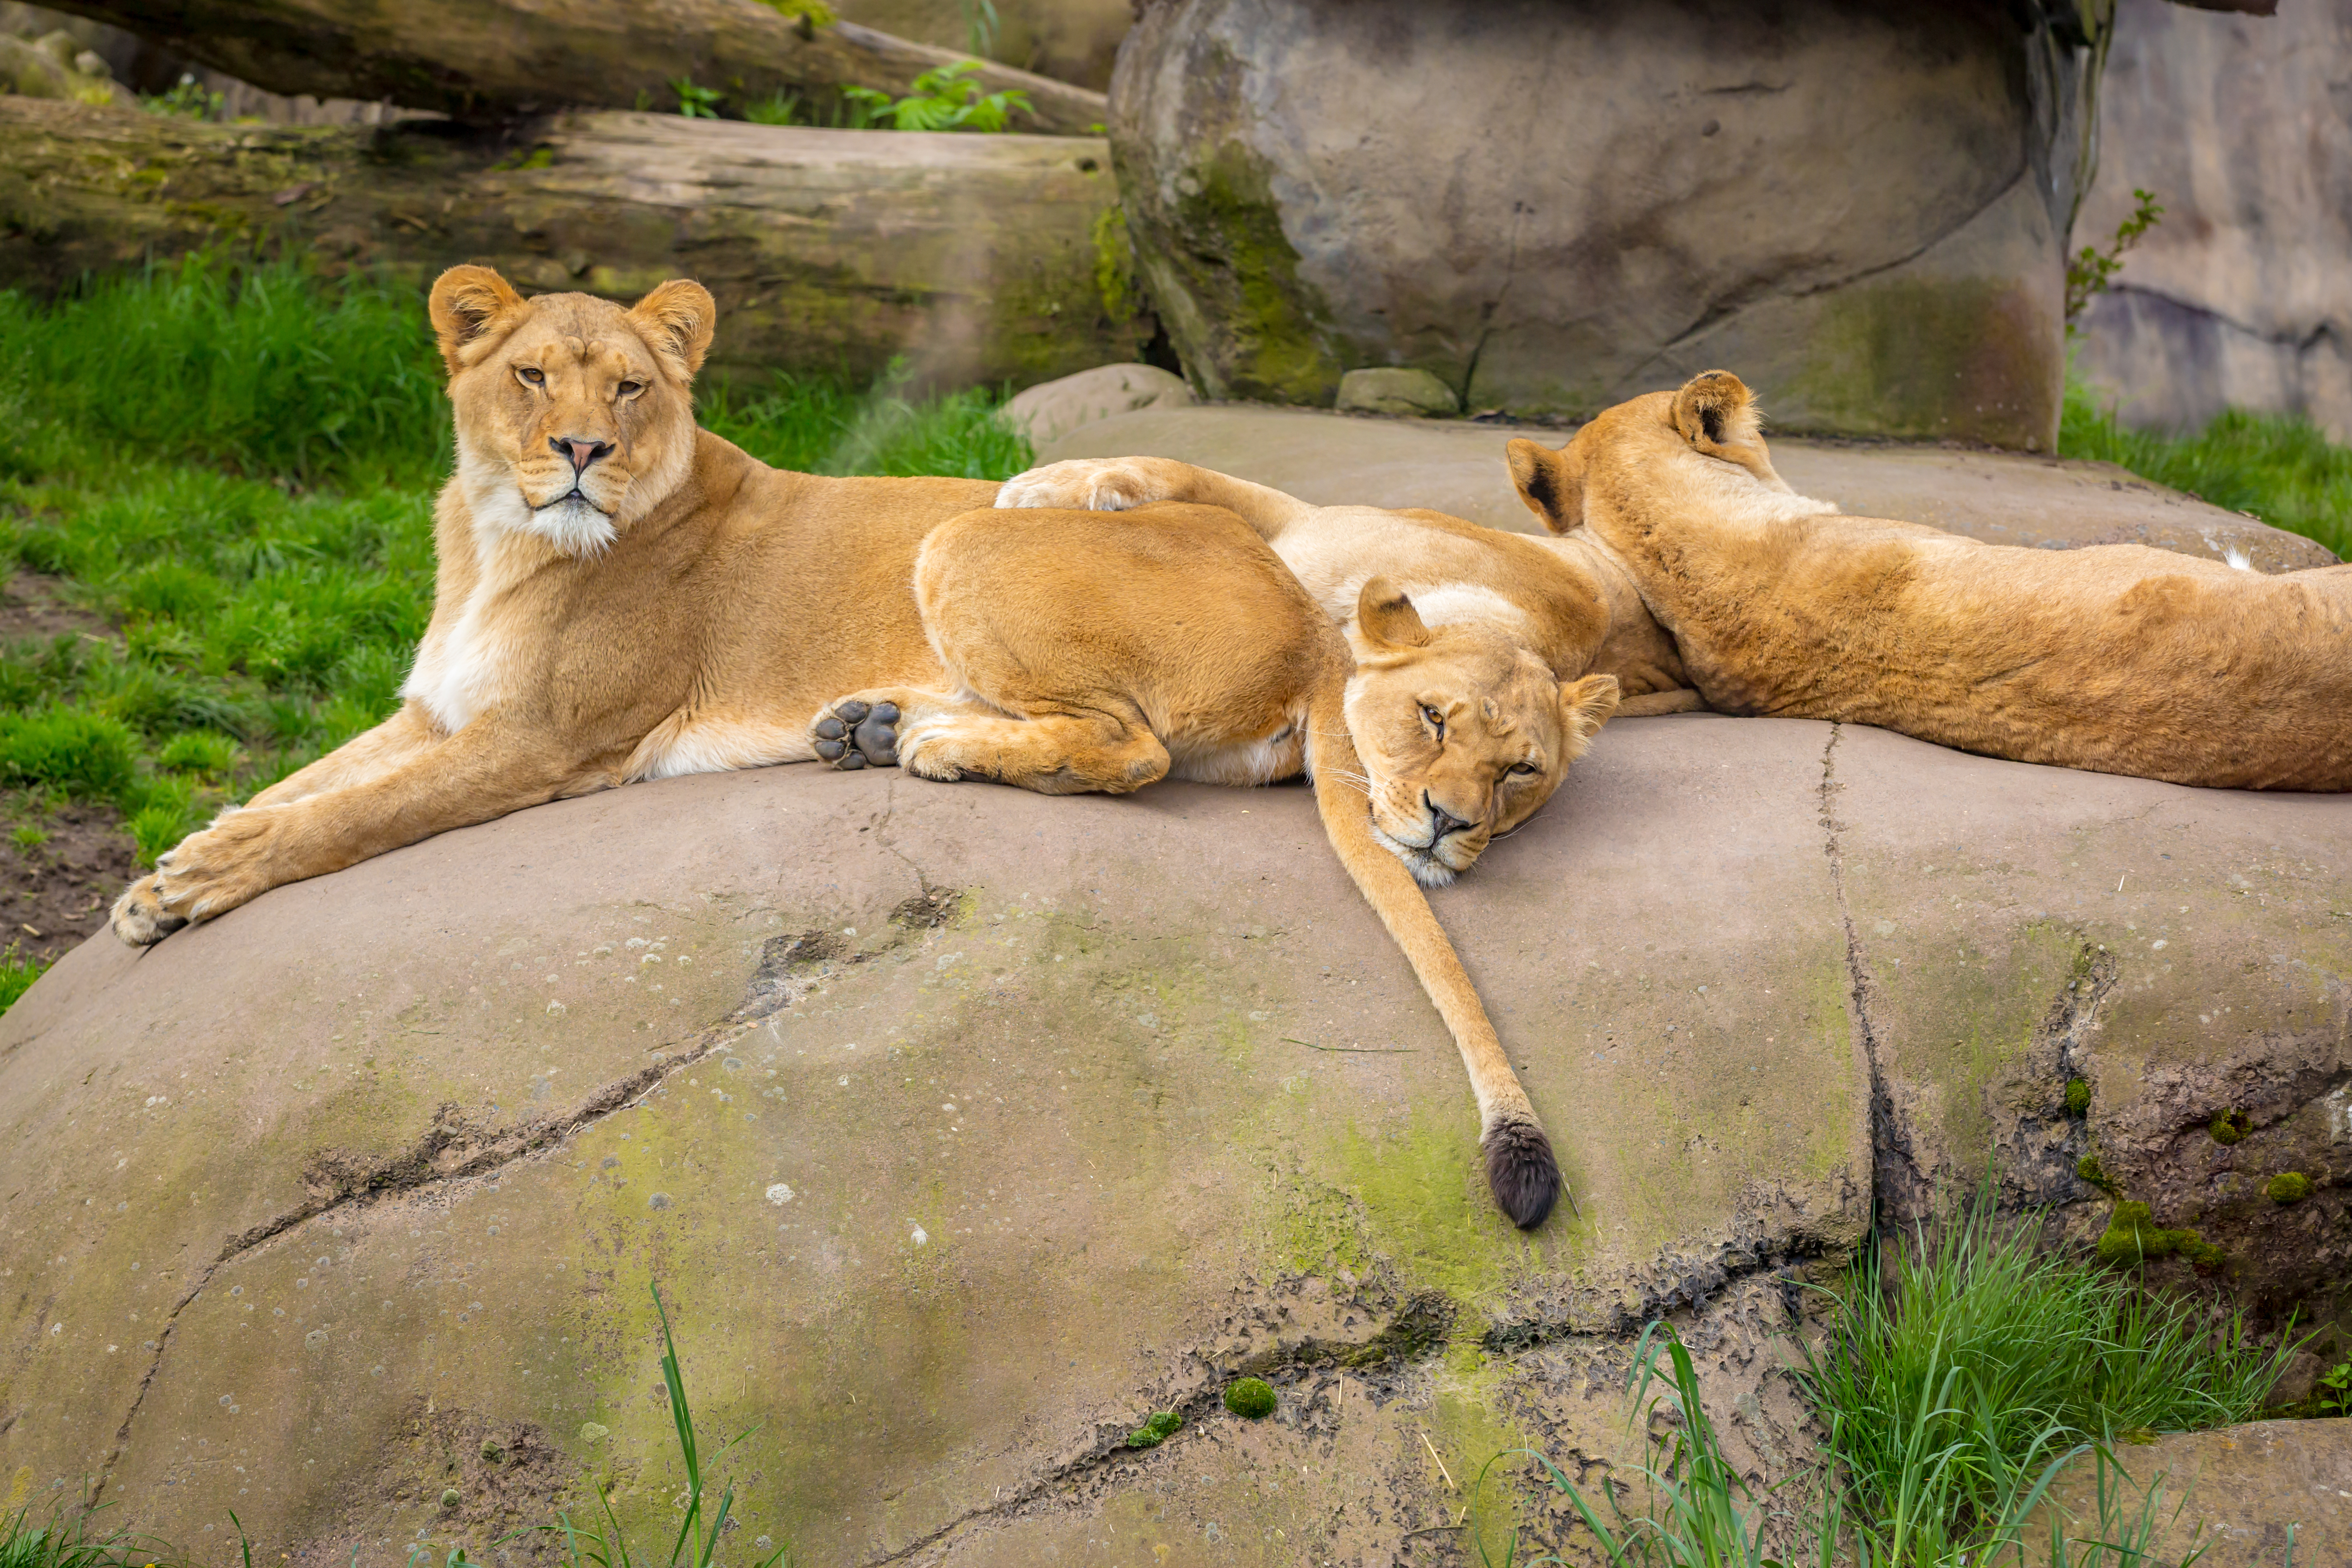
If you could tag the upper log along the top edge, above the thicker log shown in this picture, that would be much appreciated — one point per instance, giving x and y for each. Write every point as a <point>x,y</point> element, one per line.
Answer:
<point>502,58</point>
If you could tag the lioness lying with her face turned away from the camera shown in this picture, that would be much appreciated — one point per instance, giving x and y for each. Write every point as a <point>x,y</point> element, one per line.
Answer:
<point>2116,659</point>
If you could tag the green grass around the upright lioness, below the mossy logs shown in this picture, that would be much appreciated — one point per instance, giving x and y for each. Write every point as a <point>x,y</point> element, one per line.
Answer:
<point>232,467</point>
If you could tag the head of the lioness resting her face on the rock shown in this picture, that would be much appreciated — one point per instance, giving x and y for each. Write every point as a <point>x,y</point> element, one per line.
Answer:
<point>1462,732</point>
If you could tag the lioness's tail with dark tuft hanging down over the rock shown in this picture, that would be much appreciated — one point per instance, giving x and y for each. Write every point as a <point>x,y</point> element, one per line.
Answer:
<point>1521,1167</point>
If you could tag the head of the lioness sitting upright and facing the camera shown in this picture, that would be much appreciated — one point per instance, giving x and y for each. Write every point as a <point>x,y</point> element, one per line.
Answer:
<point>575,417</point>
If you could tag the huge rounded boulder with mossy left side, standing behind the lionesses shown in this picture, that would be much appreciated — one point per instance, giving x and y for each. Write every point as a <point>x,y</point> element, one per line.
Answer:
<point>1551,208</point>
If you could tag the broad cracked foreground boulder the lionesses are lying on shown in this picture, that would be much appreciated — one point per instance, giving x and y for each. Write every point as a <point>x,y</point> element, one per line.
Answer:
<point>963,1130</point>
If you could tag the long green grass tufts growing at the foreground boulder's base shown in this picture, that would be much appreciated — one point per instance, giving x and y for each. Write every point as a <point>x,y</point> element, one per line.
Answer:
<point>1953,1379</point>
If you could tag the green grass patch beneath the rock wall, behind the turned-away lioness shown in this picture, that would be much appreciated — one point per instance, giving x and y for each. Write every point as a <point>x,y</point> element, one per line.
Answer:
<point>2276,467</point>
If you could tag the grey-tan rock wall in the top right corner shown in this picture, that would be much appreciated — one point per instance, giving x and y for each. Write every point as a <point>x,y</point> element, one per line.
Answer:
<point>2243,295</point>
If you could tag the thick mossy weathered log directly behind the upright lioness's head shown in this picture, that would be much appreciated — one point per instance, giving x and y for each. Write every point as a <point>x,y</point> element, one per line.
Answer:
<point>973,257</point>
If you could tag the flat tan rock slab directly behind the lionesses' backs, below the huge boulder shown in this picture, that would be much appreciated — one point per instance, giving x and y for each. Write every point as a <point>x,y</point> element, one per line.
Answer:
<point>1457,467</point>
